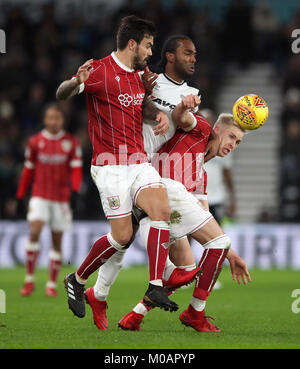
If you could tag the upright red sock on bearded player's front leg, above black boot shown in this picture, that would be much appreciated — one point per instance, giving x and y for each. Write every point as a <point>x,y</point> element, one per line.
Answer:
<point>158,249</point>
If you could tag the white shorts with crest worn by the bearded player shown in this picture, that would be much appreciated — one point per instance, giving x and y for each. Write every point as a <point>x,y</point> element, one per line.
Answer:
<point>119,186</point>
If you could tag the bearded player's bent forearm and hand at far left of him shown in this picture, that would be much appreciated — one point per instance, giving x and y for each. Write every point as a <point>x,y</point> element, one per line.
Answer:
<point>71,87</point>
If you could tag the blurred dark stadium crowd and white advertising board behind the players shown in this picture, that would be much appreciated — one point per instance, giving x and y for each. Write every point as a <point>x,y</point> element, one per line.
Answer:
<point>243,47</point>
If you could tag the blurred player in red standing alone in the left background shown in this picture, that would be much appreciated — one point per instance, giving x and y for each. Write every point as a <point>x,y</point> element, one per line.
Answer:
<point>53,163</point>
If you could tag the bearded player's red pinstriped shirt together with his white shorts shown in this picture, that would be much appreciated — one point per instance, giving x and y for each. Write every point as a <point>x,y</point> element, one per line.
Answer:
<point>115,95</point>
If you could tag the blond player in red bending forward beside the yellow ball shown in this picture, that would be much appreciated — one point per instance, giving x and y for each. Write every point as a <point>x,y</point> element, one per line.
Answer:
<point>185,167</point>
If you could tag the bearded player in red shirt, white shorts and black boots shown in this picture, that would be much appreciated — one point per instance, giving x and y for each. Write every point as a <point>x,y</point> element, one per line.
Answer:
<point>117,104</point>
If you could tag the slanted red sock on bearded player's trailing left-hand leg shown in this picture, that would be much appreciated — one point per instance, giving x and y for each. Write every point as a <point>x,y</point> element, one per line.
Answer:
<point>102,250</point>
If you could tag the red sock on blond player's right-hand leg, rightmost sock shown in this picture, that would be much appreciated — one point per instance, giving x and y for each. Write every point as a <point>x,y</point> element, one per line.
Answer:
<point>211,265</point>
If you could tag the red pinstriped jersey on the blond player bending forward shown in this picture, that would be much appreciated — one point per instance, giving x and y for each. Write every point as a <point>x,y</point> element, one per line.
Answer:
<point>182,157</point>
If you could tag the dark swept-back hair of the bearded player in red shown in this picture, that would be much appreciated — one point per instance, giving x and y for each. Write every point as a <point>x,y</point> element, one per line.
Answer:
<point>133,27</point>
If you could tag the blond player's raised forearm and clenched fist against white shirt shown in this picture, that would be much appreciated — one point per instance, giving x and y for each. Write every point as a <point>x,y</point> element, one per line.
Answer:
<point>181,115</point>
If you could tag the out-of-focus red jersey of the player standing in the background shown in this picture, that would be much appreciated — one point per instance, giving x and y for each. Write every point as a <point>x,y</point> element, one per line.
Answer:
<point>52,158</point>
